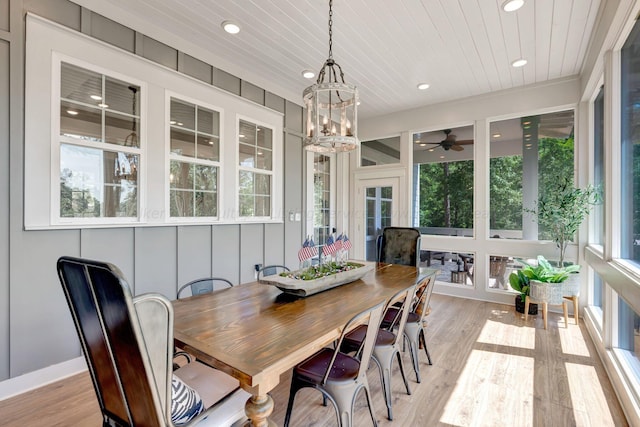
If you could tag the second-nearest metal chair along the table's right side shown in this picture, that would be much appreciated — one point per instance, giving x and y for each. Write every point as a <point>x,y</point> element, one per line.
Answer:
<point>387,342</point>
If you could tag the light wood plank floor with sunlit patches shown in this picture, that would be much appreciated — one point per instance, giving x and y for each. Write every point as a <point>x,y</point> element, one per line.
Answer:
<point>490,368</point>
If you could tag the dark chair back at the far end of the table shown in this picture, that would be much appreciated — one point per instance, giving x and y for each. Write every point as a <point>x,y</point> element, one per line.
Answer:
<point>400,245</point>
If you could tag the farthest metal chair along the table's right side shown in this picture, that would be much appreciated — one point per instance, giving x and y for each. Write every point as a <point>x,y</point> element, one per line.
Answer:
<point>414,327</point>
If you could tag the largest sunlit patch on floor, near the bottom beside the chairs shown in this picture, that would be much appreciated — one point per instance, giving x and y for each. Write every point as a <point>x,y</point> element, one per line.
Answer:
<point>495,378</point>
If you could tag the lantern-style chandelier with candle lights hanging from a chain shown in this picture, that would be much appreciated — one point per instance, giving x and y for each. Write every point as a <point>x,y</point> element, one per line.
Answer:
<point>331,107</point>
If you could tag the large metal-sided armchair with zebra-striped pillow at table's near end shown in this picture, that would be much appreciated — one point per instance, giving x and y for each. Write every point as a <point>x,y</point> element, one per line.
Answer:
<point>128,345</point>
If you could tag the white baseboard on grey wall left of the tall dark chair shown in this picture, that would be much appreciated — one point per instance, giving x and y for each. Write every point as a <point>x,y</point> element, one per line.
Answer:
<point>41,377</point>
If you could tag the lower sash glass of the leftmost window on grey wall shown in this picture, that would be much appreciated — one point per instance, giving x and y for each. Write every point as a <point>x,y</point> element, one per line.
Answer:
<point>91,184</point>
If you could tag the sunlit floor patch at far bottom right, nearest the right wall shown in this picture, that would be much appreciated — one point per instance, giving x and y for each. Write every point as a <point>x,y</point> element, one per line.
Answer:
<point>588,399</point>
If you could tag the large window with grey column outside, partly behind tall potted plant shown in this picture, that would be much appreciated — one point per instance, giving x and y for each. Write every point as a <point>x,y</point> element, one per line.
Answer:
<point>528,156</point>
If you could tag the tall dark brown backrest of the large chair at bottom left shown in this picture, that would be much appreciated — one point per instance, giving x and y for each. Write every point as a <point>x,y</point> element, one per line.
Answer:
<point>105,319</point>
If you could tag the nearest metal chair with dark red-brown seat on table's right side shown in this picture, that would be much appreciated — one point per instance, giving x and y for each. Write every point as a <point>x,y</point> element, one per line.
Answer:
<point>337,375</point>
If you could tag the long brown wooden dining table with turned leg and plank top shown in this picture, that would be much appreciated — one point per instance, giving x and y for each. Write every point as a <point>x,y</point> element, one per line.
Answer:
<point>255,333</point>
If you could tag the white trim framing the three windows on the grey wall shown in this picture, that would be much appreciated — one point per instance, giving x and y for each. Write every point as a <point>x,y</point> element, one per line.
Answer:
<point>46,40</point>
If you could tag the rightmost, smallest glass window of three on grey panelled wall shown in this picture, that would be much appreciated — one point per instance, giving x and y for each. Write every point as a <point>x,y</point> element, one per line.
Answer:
<point>255,148</point>
